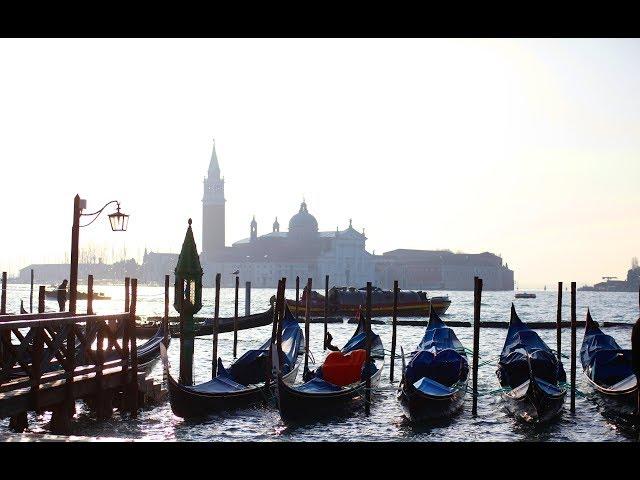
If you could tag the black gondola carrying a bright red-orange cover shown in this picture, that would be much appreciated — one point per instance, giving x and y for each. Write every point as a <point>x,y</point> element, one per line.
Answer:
<point>336,386</point>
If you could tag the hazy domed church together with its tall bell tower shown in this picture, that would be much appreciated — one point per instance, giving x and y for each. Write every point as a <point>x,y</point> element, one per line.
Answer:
<point>303,250</point>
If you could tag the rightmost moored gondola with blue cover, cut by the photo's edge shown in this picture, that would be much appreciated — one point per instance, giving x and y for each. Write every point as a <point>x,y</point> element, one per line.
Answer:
<point>608,369</point>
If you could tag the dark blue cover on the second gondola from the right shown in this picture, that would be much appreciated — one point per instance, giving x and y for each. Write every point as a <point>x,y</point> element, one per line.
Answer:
<point>525,355</point>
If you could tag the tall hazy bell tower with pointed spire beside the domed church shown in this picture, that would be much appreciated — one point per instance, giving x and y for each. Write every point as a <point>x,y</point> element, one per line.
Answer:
<point>213,237</point>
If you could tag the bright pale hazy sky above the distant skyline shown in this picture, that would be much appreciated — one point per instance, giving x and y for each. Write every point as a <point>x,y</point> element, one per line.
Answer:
<point>525,148</point>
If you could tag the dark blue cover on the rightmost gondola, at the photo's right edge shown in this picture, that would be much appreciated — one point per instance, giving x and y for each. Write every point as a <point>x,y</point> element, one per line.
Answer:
<point>602,359</point>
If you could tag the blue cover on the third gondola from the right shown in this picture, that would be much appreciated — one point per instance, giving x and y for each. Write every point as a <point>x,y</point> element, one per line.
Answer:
<point>440,360</point>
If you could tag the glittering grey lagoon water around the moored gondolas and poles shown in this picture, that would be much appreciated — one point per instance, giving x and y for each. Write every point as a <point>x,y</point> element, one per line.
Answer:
<point>386,421</point>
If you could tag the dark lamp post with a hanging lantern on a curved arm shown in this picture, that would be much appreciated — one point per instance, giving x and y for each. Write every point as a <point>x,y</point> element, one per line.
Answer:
<point>119,222</point>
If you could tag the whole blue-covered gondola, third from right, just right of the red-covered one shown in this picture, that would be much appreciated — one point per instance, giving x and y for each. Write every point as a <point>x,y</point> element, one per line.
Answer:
<point>434,382</point>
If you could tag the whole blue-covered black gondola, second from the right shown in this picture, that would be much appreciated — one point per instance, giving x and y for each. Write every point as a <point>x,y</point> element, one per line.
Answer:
<point>531,373</point>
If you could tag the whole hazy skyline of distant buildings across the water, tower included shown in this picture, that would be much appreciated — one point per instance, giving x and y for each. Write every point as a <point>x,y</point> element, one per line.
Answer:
<point>303,250</point>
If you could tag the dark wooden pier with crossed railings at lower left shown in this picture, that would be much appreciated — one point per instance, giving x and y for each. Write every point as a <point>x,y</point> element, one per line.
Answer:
<point>50,360</point>
